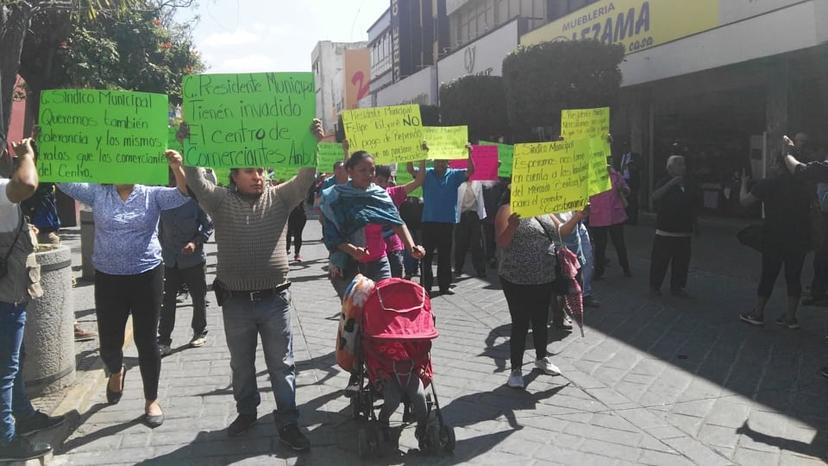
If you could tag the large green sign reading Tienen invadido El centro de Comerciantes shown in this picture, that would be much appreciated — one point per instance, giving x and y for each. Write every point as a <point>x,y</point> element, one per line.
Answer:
<point>250,120</point>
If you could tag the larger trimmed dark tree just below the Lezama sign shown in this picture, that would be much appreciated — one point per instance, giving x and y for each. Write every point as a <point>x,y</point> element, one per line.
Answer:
<point>544,79</point>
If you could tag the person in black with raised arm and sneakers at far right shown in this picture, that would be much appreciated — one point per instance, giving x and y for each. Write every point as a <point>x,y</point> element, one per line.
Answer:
<point>785,241</point>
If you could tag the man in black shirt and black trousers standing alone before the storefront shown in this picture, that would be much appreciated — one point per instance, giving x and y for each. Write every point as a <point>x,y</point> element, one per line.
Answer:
<point>677,202</point>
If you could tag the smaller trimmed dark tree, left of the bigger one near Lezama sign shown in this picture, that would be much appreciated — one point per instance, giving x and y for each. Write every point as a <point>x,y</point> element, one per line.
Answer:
<point>476,101</point>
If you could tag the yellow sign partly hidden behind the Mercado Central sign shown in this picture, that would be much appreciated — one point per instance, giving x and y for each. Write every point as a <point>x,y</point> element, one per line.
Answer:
<point>591,124</point>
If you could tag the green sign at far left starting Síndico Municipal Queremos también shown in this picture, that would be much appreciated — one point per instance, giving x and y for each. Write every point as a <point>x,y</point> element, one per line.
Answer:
<point>102,137</point>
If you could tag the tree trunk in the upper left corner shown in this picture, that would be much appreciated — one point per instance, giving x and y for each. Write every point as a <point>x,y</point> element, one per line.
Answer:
<point>14,22</point>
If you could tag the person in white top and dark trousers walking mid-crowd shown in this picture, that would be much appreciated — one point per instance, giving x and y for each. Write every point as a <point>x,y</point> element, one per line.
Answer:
<point>471,211</point>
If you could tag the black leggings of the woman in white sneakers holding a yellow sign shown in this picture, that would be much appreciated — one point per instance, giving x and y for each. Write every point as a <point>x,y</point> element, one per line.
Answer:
<point>528,306</point>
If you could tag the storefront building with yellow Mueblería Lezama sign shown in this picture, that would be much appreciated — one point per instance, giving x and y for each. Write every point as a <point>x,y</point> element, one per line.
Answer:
<point>720,81</point>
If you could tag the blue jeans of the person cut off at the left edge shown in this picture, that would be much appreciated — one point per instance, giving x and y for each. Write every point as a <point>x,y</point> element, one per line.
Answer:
<point>13,400</point>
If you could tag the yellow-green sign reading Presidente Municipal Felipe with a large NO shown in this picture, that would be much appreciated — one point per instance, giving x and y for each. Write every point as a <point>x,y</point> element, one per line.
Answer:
<point>390,134</point>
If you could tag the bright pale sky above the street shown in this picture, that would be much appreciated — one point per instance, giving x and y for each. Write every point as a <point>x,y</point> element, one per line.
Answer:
<point>236,36</point>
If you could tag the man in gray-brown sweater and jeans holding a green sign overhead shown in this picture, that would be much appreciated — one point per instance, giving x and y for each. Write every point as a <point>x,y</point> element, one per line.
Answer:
<point>252,285</point>
